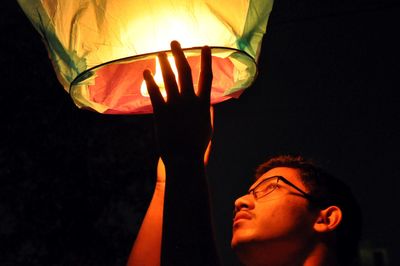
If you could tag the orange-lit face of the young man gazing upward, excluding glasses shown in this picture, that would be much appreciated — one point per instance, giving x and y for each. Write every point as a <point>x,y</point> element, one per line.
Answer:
<point>275,222</point>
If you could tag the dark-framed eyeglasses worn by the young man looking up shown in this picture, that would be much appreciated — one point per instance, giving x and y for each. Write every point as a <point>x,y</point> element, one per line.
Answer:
<point>268,185</point>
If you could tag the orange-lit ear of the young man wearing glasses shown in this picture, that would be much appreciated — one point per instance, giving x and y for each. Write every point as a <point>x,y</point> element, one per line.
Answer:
<point>328,219</point>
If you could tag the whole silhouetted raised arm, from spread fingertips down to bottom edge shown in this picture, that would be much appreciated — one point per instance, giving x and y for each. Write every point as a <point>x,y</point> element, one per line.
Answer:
<point>183,128</point>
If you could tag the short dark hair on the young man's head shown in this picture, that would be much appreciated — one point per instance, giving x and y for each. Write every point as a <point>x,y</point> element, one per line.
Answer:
<point>328,190</point>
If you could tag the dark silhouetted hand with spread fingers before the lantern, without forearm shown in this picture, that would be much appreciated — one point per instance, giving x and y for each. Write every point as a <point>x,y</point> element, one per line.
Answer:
<point>183,123</point>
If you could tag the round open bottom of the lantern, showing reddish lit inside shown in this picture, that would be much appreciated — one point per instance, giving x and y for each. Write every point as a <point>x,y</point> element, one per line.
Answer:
<point>118,87</point>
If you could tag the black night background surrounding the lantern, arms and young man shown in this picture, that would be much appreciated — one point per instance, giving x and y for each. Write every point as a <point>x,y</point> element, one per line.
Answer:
<point>74,185</point>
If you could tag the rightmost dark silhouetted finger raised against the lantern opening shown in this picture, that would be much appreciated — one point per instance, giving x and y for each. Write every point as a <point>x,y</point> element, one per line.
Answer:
<point>206,75</point>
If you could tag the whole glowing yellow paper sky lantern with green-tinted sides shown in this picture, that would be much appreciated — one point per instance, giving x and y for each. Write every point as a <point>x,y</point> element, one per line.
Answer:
<point>99,49</point>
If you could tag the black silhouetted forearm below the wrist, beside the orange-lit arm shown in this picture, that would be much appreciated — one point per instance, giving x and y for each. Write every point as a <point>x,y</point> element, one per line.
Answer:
<point>188,235</point>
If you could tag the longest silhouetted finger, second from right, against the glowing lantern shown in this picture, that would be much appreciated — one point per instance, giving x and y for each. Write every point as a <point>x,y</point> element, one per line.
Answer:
<point>182,65</point>
